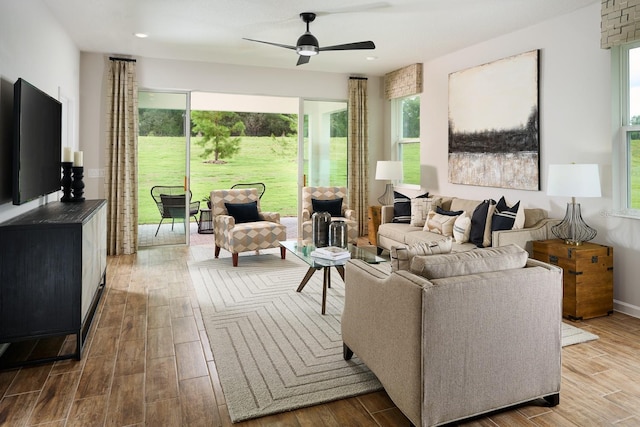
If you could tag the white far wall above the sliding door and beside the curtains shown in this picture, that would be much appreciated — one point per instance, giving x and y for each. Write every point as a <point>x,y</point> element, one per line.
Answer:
<point>158,74</point>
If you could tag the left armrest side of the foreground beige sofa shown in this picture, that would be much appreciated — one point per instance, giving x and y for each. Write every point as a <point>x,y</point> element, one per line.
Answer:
<point>381,324</point>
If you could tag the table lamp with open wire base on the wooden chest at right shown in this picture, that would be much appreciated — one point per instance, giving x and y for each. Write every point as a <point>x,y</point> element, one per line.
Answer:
<point>573,180</point>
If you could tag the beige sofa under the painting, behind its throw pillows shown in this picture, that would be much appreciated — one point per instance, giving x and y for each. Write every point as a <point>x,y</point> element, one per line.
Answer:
<point>537,226</point>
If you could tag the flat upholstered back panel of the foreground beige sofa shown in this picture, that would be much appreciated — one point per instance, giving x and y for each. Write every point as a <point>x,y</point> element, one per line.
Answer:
<point>490,340</point>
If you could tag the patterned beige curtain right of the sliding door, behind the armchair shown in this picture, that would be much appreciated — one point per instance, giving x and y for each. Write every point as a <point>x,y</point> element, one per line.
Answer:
<point>358,152</point>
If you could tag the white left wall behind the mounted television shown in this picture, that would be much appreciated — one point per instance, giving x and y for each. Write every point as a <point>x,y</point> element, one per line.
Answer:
<point>33,46</point>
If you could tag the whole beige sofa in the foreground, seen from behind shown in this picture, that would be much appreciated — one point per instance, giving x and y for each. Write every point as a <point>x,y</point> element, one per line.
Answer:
<point>478,339</point>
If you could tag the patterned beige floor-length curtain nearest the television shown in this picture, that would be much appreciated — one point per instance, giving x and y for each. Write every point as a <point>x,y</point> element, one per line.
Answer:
<point>121,176</point>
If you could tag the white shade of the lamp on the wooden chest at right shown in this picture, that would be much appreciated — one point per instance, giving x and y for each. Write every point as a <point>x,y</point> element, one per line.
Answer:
<point>574,180</point>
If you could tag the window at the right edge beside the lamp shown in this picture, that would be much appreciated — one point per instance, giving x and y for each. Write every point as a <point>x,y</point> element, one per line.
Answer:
<point>627,149</point>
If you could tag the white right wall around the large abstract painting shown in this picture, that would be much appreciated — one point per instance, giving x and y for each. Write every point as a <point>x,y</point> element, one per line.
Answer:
<point>575,123</point>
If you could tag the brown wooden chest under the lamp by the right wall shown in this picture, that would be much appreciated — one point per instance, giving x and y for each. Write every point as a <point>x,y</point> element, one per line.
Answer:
<point>587,276</point>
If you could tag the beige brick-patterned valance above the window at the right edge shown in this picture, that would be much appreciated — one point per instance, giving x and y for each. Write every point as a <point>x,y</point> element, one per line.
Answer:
<point>620,22</point>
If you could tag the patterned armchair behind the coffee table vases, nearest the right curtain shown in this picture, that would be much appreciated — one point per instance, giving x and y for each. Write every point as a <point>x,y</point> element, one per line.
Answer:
<point>327,193</point>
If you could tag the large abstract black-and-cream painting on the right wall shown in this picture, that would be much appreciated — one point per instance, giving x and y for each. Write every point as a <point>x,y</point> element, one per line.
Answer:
<point>493,124</point>
